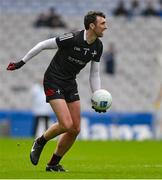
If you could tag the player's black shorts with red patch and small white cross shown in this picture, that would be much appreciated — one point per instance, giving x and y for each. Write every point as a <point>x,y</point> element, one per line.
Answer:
<point>60,89</point>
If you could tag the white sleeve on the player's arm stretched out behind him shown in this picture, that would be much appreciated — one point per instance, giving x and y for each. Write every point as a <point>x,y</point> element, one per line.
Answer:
<point>47,44</point>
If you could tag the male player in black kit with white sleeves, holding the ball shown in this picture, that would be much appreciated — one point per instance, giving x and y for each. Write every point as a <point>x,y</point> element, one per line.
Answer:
<point>75,50</point>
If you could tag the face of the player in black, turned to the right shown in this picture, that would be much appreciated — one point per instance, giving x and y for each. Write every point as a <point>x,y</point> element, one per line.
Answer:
<point>100,26</point>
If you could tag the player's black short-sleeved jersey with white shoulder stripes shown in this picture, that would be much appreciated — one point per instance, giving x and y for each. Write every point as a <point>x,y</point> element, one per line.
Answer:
<point>72,55</point>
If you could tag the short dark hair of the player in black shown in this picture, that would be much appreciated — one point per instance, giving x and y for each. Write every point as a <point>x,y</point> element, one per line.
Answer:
<point>91,17</point>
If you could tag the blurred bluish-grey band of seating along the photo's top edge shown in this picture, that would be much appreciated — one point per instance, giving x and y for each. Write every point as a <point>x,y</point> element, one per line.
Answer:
<point>70,7</point>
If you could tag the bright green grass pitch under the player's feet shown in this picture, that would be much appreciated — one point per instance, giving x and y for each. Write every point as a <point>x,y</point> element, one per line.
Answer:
<point>95,159</point>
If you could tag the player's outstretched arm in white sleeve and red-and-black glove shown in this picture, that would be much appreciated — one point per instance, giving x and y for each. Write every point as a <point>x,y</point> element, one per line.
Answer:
<point>47,44</point>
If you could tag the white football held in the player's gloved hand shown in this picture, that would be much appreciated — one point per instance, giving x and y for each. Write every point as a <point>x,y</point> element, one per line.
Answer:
<point>101,99</point>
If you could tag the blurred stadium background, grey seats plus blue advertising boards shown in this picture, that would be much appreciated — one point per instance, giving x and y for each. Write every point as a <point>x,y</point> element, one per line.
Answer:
<point>134,87</point>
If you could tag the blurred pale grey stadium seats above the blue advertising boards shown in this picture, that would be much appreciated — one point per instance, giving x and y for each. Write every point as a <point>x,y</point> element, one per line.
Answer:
<point>138,44</point>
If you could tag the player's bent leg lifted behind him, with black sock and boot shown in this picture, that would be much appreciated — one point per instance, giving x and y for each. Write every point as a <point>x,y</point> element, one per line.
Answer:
<point>64,124</point>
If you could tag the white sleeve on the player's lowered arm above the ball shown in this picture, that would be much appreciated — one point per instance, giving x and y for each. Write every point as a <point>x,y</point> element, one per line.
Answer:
<point>94,78</point>
